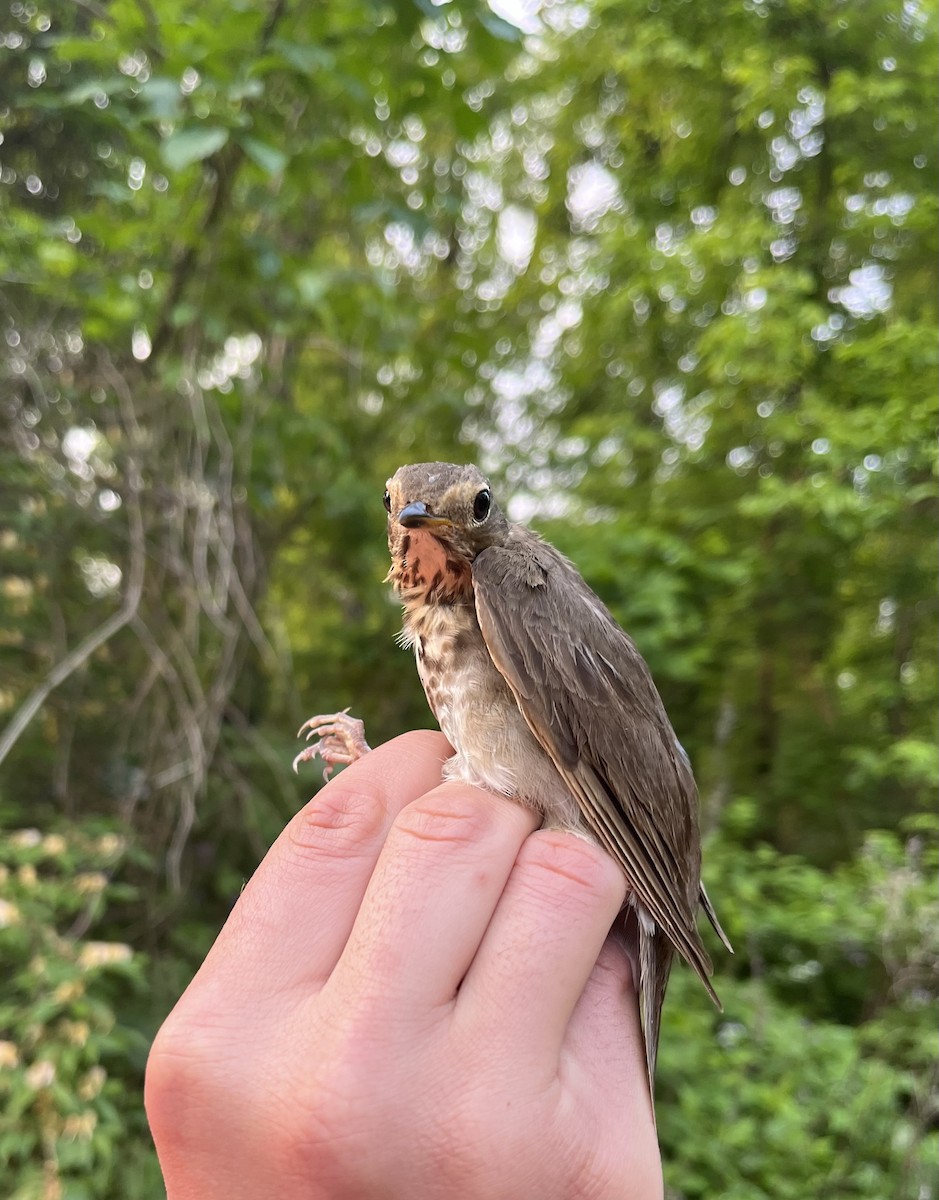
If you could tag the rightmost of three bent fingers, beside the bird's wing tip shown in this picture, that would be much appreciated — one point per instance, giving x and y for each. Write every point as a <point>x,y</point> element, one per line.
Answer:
<point>543,943</point>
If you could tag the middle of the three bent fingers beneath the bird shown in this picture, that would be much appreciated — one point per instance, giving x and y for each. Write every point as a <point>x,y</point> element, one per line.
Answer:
<point>433,895</point>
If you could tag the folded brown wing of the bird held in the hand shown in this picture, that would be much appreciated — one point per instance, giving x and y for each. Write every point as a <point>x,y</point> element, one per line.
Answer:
<point>590,701</point>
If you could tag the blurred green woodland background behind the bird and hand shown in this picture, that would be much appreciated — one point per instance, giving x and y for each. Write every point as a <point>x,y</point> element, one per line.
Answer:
<point>668,272</point>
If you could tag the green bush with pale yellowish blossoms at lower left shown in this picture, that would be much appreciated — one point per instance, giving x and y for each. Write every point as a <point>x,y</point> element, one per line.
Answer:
<point>69,1055</point>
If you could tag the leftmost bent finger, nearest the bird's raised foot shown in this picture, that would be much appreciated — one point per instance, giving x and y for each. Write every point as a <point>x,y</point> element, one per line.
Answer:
<point>294,919</point>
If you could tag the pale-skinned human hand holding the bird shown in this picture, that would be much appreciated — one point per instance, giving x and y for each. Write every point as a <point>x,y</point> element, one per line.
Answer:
<point>416,997</point>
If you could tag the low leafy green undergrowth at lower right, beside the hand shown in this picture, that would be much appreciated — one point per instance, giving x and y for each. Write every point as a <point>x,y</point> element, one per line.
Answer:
<point>821,1061</point>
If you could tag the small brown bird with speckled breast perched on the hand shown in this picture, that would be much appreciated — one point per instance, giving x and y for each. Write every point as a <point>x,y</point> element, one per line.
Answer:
<point>546,700</point>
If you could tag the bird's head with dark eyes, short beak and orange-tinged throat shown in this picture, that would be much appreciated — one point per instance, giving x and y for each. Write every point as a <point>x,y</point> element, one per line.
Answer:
<point>440,518</point>
